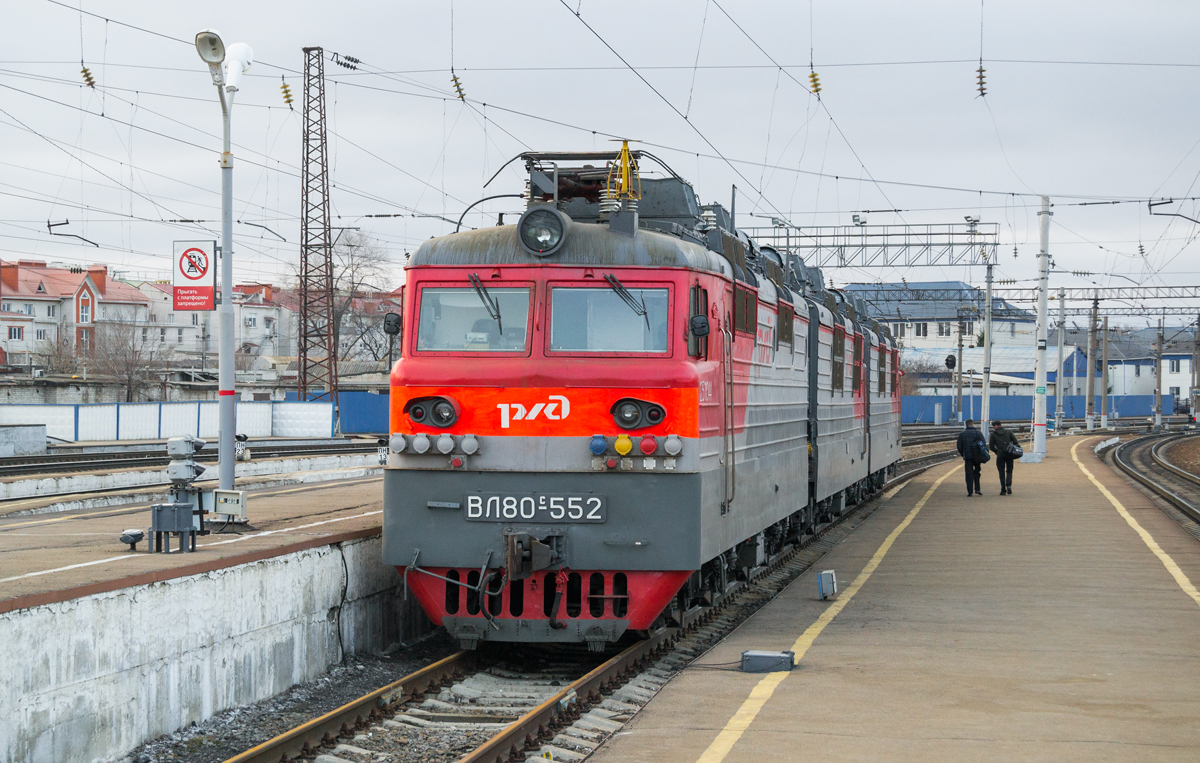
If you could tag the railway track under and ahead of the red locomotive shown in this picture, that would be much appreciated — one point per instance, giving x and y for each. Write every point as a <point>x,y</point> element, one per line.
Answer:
<point>562,710</point>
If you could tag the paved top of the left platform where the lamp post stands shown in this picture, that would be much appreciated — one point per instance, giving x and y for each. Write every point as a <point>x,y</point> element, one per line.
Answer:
<point>47,558</point>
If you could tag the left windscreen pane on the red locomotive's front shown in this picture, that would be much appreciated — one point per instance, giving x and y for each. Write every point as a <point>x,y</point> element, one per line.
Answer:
<point>494,320</point>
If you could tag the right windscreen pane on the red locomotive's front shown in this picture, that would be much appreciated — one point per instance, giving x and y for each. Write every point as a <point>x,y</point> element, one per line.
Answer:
<point>602,321</point>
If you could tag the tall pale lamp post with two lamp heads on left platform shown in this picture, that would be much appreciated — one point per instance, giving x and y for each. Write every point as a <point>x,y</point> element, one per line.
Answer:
<point>227,67</point>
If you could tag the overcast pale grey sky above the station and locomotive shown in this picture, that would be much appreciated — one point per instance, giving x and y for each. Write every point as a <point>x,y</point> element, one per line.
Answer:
<point>1067,113</point>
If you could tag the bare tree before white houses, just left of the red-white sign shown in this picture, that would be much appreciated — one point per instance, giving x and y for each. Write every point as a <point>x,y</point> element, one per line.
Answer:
<point>124,351</point>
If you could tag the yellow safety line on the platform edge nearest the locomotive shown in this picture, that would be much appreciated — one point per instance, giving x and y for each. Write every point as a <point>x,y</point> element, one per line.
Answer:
<point>766,688</point>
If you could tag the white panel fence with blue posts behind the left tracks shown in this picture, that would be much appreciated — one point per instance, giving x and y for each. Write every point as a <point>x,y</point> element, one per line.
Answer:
<point>152,422</point>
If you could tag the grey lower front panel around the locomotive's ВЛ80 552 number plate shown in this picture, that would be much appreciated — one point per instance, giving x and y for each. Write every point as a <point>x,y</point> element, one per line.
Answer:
<point>653,520</point>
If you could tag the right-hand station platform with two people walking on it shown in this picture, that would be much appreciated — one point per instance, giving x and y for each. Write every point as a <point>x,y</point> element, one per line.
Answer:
<point>1061,623</point>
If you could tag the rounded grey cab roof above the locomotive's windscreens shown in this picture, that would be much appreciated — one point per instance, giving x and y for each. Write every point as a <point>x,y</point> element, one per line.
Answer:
<point>586,245</point>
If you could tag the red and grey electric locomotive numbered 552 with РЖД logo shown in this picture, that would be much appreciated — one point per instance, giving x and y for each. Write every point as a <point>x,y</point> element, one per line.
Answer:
<point>608,413</point>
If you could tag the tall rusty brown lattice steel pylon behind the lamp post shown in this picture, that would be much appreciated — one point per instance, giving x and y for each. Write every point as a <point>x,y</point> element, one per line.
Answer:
<point>317,353</point>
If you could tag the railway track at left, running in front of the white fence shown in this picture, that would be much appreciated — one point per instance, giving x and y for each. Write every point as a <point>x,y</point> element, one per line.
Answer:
<point>133,460</point>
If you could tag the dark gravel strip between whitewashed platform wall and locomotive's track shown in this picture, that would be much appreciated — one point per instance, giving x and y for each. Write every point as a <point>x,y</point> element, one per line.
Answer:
<point>235,731</point>
